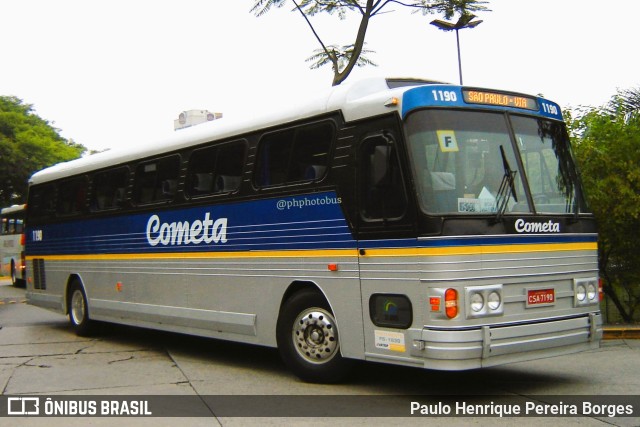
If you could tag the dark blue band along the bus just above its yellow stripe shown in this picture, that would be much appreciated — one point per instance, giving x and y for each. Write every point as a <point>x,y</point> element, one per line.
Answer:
<point>311,222</point>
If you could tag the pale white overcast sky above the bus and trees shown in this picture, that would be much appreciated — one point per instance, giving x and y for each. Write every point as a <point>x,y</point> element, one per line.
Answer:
<point>112,73</point>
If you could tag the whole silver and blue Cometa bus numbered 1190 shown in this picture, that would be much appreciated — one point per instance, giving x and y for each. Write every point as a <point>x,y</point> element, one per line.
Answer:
<point>398,221</point>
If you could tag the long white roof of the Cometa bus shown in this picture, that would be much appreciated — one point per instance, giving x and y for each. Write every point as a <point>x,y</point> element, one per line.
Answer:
<point>360,99</point>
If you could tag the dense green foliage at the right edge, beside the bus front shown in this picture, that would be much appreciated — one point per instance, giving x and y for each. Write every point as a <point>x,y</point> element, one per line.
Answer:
<point>607,146</point>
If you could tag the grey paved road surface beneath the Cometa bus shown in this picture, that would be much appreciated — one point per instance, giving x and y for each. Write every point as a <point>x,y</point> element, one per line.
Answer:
<point>40,355</point>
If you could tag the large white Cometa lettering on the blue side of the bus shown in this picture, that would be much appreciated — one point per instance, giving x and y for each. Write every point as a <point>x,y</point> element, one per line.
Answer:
<point>186,233</point>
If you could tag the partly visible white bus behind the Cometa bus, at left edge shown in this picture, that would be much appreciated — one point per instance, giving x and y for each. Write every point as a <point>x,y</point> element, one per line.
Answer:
<point>12,262</point>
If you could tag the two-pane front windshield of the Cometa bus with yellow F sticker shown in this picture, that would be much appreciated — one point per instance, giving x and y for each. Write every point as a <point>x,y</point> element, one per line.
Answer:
<point>464,162</point>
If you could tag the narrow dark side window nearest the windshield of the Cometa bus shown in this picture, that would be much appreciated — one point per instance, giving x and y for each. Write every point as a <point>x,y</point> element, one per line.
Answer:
<point>381,187</point>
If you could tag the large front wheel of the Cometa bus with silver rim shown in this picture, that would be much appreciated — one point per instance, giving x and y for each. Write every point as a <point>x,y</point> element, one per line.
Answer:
<point>308,339</point>
